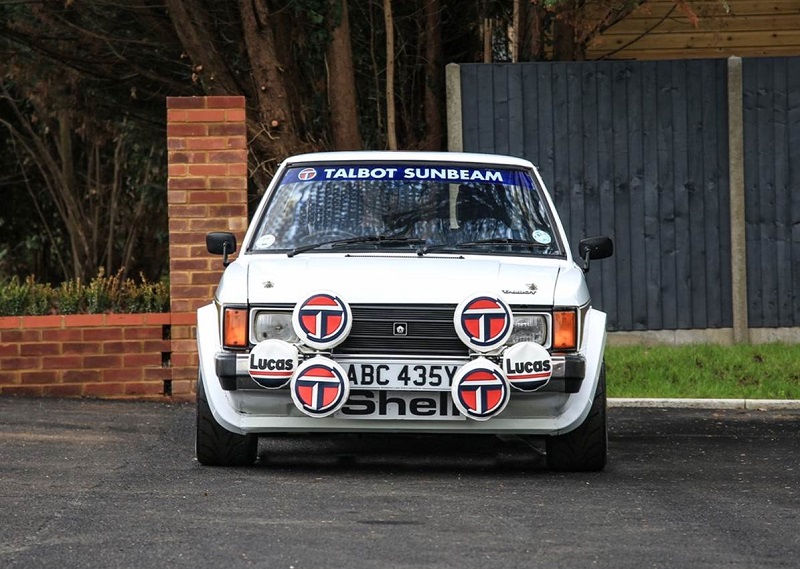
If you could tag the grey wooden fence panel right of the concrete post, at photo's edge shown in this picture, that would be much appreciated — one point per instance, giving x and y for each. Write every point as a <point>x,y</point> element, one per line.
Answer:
<point>771,101</point>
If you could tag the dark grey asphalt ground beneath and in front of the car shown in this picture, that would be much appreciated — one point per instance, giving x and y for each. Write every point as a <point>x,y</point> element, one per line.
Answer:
<point>109,484</point>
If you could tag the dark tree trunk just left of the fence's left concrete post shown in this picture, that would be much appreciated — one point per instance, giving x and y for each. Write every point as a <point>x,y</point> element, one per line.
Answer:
<point>433,77</point>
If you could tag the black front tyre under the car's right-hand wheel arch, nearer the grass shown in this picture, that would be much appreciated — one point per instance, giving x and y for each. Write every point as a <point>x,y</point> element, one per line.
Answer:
<point>584,449</point>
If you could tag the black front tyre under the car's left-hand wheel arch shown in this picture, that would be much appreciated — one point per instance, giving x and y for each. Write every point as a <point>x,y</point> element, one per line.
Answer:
<point>217,446</point>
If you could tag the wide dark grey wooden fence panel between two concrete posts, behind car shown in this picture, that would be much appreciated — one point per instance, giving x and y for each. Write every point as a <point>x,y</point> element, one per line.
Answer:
<point>634,150</point>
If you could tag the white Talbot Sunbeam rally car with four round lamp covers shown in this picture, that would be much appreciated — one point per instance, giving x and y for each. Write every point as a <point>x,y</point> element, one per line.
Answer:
<point>403,292</point>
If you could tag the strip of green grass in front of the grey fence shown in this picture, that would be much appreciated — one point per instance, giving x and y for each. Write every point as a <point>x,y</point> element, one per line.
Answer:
<point>766,371</point>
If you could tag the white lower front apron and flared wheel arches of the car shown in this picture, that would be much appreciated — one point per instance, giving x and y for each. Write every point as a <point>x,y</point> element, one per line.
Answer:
<point>272,411</point>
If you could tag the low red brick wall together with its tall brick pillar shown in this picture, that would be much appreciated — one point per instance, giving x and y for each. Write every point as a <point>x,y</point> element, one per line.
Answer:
<point>148,356</point>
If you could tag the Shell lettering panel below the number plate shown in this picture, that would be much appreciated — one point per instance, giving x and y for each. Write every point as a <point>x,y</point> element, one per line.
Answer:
<point>416,405</point>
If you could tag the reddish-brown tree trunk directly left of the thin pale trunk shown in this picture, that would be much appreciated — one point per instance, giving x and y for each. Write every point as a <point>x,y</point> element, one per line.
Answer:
<point>341,82</point>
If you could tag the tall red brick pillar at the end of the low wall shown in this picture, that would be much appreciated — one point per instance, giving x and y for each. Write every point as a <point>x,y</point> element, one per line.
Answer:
<point>207,191</point>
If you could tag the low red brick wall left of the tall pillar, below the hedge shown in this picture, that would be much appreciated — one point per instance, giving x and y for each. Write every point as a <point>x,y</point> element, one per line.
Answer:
<point>92,355</point>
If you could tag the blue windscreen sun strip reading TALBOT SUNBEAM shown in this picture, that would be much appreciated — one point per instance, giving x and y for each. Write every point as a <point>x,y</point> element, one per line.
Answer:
<point>410,173</point>
